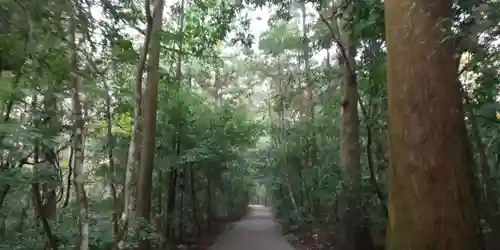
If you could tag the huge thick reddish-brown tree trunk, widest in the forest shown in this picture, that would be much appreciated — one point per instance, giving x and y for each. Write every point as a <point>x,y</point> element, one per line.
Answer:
<point>431,201</point>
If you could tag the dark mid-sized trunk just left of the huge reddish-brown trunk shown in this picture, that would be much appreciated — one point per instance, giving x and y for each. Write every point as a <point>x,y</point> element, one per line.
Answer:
<point>354,234</point>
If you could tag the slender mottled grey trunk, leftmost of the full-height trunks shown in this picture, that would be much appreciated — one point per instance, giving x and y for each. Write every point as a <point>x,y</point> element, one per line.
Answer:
<point>78,172</point>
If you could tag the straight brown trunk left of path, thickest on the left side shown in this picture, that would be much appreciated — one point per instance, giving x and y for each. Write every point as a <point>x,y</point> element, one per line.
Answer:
<point>149,122</point>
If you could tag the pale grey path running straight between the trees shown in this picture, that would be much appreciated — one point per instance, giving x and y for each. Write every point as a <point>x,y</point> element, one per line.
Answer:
<point>258,231</point>
